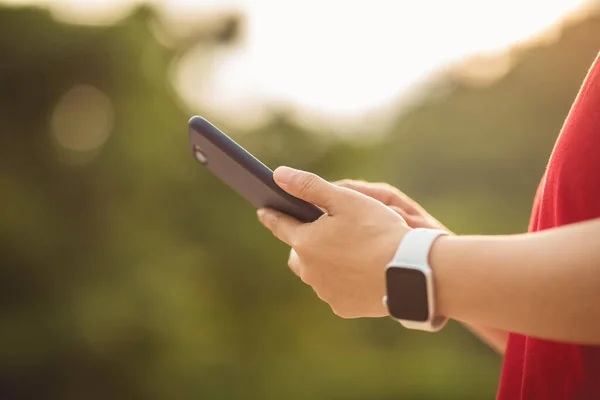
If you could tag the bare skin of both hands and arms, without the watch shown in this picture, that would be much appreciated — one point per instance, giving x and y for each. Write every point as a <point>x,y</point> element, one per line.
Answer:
<point>541,284</point>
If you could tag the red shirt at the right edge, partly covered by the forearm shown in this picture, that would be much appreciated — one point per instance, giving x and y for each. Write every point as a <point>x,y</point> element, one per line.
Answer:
<point>569,192</point>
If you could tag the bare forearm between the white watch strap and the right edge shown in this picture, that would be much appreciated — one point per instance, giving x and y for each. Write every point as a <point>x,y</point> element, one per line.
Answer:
<point>545,284</point>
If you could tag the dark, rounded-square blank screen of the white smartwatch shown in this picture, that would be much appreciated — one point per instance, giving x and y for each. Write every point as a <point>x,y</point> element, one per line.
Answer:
<point>407,294</point>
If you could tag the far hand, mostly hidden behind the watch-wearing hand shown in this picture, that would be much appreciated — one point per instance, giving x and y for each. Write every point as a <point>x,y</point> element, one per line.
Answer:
<point>414,215</point>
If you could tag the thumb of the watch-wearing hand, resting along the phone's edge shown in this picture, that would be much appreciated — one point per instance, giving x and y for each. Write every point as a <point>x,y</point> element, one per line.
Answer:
<point>309,187</point>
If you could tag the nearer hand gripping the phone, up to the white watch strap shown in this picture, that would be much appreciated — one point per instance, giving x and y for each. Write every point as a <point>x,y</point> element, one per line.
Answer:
<point>344,253</point>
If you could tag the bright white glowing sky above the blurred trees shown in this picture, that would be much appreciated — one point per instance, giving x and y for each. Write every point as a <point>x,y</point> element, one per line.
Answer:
<point>335,59</point>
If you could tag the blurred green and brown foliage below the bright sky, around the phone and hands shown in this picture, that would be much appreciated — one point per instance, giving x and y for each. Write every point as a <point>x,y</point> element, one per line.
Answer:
<point>138,275</point>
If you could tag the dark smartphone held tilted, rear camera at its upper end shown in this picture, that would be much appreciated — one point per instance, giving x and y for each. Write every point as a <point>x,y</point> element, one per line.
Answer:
<point>243,172</point>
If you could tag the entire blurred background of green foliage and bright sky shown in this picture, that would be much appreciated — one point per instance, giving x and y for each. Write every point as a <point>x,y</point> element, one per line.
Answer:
<point>129,272</point>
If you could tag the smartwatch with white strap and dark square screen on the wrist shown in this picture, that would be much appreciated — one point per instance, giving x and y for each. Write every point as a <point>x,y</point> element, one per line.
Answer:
<point>410,290</point>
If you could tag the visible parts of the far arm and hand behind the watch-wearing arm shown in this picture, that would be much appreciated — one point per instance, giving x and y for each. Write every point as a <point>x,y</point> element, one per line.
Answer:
<point>417,217</point>
